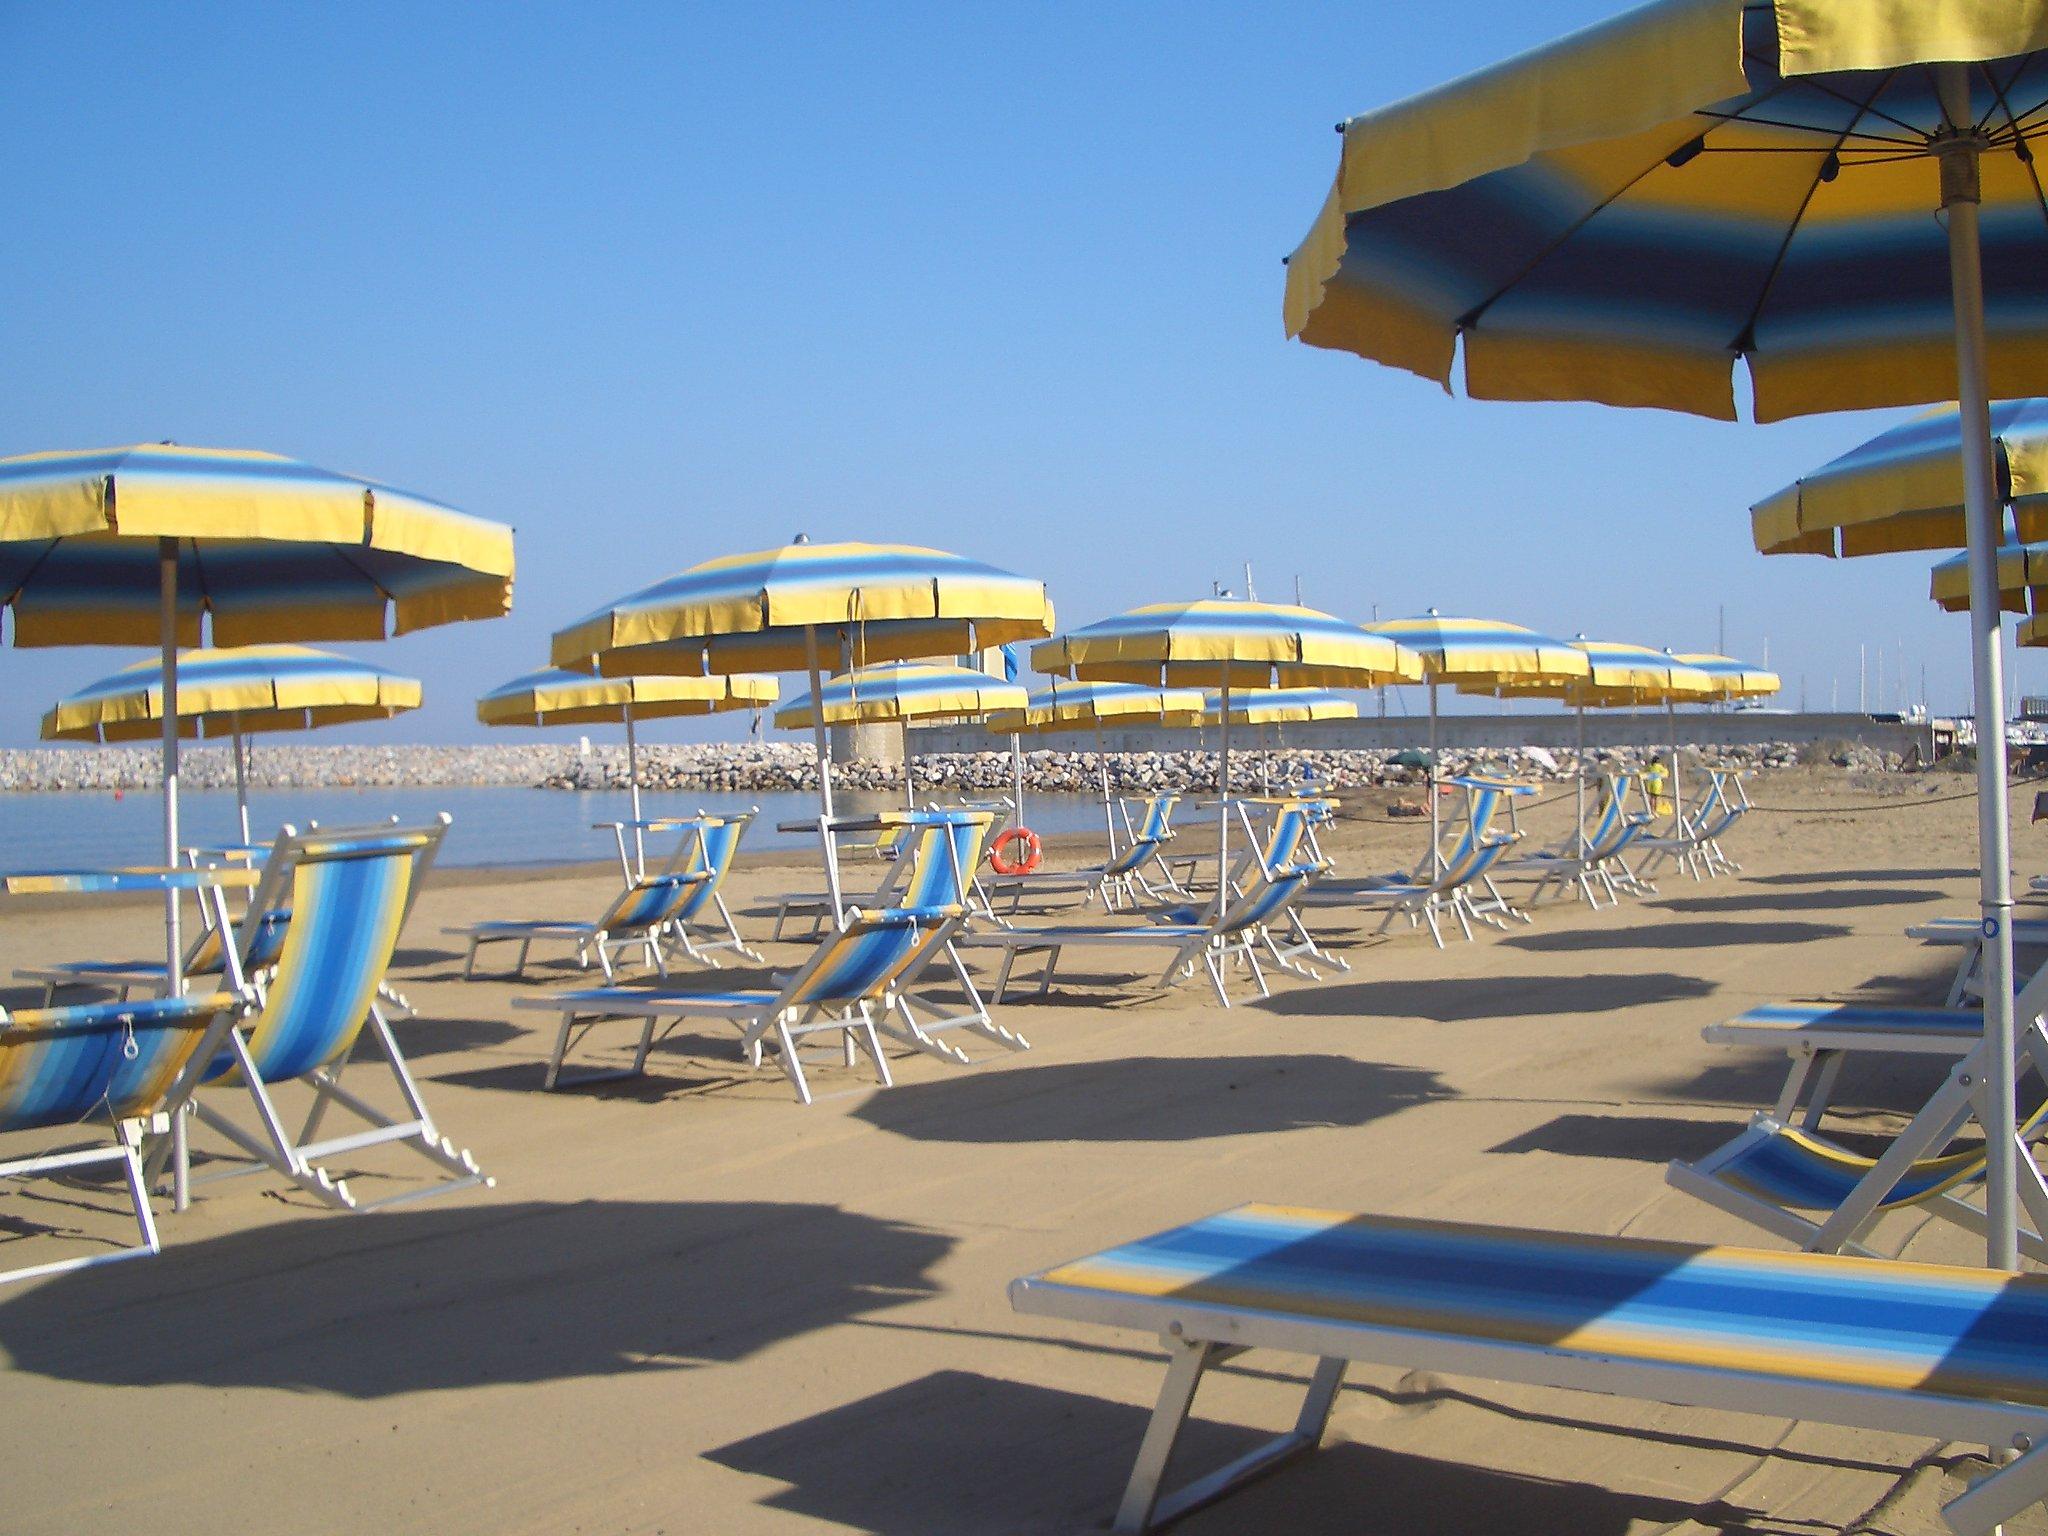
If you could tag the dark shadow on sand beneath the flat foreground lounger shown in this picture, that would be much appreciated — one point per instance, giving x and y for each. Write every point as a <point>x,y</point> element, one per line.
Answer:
<point>970,1453</point>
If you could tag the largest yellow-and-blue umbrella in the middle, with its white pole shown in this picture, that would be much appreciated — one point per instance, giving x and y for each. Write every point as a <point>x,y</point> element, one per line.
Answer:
<point>783,609</point>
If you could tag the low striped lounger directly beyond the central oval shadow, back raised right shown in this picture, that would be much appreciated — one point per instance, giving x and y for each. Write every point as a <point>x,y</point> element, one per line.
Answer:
<point>1218,941</point>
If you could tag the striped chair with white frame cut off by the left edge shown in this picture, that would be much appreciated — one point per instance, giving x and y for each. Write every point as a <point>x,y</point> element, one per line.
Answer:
<point>99,1064</point>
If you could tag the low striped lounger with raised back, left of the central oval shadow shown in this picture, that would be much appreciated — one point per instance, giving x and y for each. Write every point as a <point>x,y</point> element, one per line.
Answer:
<point>849,984</point>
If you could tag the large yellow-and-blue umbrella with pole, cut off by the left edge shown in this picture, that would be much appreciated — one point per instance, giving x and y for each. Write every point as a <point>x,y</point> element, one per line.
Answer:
<point>157,544</point>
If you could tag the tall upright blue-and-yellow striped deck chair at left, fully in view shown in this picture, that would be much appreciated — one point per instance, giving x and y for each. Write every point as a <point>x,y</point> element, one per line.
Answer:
<point>349,902</point>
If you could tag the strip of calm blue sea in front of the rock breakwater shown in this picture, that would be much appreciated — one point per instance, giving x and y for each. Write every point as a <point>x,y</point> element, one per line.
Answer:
<point>493,826</point>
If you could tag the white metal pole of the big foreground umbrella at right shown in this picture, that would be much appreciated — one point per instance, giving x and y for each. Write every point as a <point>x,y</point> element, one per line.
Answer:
<point>1983,523</point>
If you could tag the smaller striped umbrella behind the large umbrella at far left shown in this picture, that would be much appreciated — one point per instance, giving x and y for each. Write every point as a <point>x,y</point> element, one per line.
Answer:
<point>234,693</point>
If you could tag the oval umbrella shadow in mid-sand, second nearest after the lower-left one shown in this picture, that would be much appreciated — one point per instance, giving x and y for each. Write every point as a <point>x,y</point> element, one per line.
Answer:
<point>1152,1099</point>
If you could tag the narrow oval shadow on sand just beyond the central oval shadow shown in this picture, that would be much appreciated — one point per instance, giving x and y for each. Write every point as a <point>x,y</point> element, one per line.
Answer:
<point>1463,1000</point>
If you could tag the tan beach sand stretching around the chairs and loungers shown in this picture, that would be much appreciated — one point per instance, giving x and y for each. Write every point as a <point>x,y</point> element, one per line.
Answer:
<point>693,1306</point>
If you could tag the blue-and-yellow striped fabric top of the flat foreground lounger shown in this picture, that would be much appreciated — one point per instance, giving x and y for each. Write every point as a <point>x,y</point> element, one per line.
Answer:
<point>1795,1316</point>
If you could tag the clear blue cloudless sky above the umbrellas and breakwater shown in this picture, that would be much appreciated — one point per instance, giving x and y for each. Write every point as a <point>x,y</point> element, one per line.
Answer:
<point>669,282</point>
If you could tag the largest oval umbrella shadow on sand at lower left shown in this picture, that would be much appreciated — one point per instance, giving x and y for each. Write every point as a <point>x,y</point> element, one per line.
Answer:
<point>497,1293</point>
